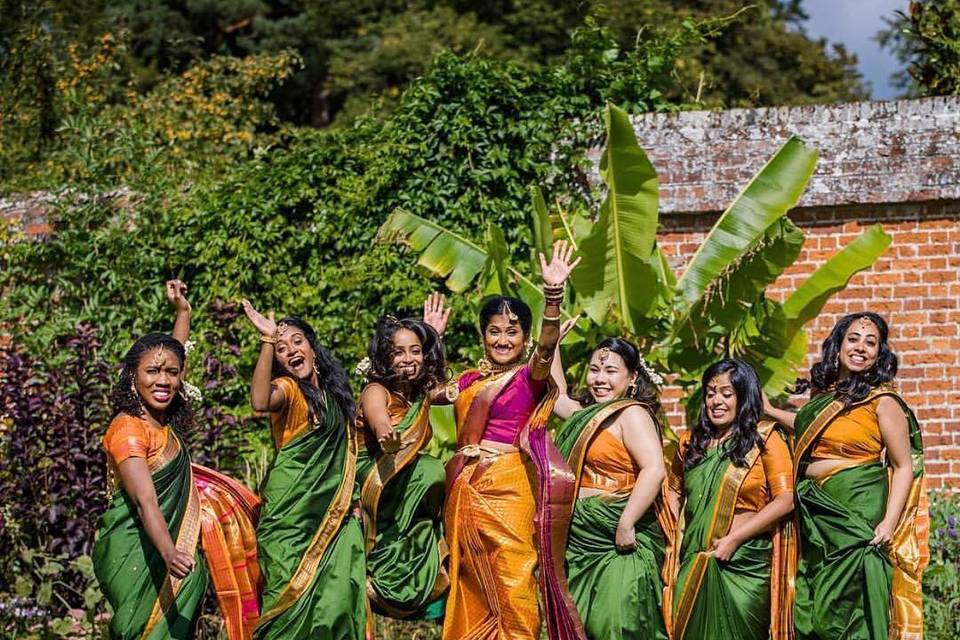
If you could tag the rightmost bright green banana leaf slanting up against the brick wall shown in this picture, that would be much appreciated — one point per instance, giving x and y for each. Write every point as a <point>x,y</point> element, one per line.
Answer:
<point>807,301</point>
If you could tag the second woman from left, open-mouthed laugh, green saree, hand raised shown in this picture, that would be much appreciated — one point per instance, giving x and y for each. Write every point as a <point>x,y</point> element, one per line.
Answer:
<point>310,544</point>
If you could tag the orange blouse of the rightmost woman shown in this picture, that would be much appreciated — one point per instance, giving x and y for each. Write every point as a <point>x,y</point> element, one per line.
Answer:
<point>853,435</point>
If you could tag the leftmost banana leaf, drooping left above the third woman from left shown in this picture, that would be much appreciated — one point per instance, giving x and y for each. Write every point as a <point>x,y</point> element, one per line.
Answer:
<point>444,253</point>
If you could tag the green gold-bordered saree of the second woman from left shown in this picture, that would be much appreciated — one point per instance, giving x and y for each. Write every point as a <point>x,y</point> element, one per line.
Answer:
<point>310,549</point>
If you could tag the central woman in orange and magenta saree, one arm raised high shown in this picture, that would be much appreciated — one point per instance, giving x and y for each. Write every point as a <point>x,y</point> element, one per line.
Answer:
<point>509,491</point>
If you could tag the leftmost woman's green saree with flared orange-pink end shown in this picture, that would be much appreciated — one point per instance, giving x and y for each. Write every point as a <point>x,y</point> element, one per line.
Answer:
<point>209,516</point>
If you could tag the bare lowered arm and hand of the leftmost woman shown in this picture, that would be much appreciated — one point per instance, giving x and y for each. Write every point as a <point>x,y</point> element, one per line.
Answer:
<point>137,482</point>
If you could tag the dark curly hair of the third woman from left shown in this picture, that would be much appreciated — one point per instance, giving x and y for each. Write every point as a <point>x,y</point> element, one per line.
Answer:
<point>380,351</point>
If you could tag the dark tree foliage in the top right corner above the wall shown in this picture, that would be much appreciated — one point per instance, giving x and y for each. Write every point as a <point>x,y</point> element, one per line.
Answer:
<point>927,39</point>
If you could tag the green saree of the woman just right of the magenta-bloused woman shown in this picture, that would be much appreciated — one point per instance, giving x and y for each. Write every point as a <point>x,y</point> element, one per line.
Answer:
<point>618,595</point>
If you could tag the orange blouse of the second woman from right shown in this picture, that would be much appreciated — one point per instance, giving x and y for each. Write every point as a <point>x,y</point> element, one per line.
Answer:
<point>769,477</point>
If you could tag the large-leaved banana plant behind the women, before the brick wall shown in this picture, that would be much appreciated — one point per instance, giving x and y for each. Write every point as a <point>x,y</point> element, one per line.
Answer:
<point>624,284</point>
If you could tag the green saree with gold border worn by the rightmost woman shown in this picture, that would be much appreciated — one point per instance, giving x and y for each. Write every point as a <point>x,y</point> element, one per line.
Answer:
<point>846,587</point>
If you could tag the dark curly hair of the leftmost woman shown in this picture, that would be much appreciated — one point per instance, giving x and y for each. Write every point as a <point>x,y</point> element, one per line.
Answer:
<point>124,397</point>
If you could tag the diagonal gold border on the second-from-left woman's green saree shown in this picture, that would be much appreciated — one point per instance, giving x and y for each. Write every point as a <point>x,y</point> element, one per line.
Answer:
<point>336,512</point>
